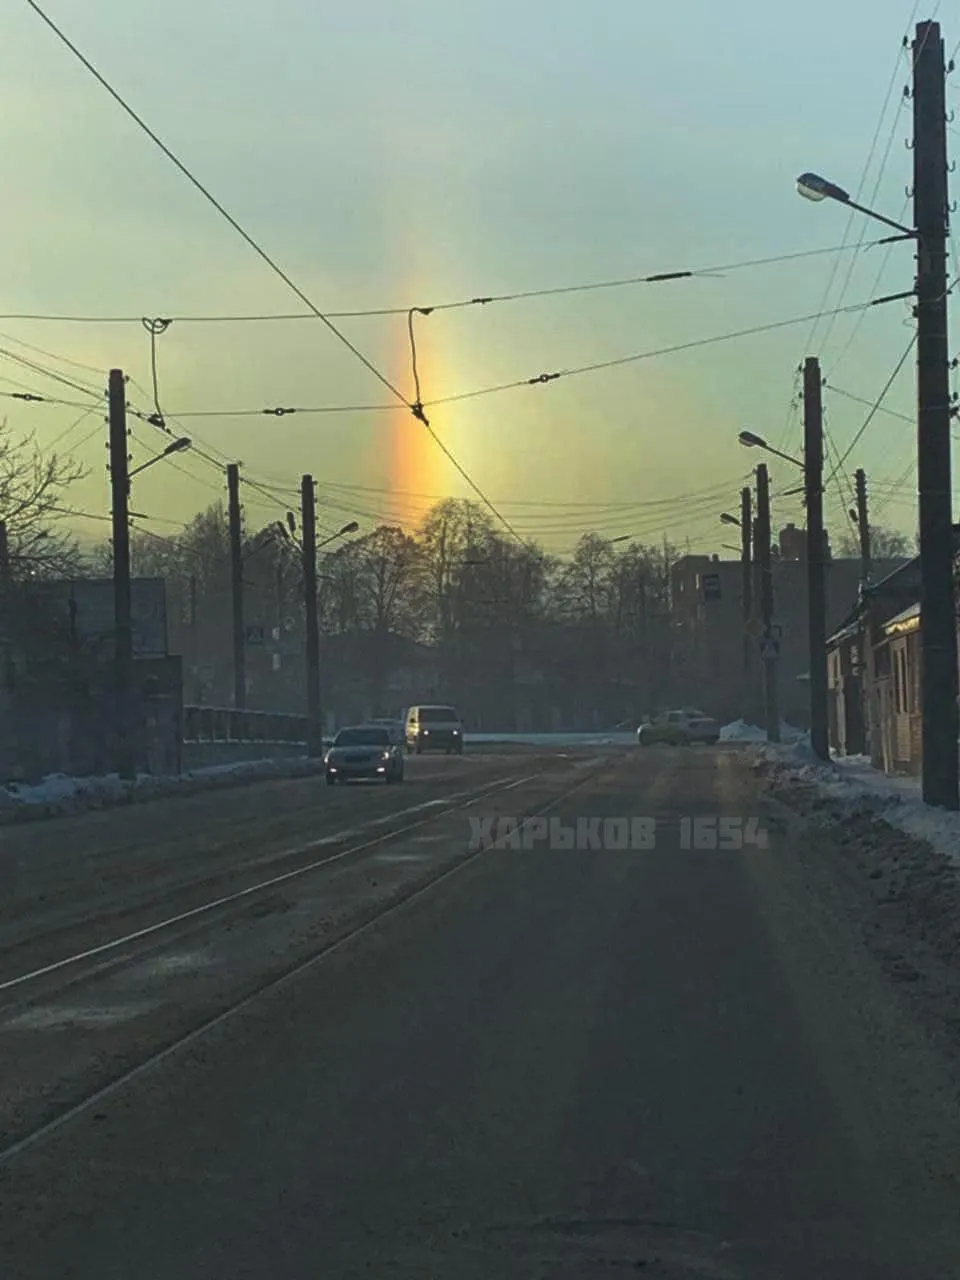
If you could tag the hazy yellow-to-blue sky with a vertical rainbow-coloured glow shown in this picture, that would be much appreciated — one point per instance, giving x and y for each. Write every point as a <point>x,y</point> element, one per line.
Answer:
<point>408,153</point>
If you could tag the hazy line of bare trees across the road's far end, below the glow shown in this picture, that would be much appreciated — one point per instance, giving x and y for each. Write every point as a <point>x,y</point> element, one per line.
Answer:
<point>452,610</point>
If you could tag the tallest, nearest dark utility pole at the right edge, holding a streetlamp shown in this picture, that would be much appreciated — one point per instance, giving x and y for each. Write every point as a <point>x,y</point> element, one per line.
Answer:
<point>941,757</point>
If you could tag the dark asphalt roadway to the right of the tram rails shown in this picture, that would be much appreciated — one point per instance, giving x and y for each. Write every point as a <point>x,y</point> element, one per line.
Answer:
<point>670,1062</point>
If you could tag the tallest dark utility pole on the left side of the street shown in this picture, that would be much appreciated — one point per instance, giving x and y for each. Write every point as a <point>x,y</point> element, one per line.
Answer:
<point>124,607</point>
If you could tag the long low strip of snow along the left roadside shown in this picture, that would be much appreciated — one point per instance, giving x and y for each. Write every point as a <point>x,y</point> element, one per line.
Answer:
<point>60,794</point>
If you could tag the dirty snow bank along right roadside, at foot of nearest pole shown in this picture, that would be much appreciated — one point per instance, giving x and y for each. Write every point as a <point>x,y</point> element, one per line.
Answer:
<point>849,787</point>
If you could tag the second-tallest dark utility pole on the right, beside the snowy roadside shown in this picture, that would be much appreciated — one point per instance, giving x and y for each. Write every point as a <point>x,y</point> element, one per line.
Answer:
<point>816,548</point>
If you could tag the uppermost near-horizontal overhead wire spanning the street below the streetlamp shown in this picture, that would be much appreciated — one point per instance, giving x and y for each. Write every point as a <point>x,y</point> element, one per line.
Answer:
<point>479,301</point>
